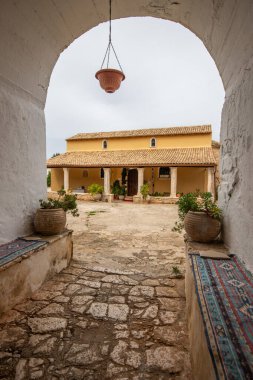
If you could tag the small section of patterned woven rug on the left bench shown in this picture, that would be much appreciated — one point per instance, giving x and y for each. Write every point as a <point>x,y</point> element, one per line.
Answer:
<point>16,248</point>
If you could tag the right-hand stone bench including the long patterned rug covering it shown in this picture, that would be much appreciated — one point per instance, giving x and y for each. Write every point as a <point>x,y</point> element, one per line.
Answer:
<point>217,337</point>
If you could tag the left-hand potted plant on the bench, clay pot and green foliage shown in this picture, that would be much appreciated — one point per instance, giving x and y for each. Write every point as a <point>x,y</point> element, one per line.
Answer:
<point>50,219</point>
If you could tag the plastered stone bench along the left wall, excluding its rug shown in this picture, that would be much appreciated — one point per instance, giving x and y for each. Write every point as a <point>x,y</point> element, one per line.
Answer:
<point>21,277</point>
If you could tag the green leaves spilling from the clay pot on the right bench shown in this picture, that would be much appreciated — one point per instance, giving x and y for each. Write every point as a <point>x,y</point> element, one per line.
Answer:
<point>198,201</point>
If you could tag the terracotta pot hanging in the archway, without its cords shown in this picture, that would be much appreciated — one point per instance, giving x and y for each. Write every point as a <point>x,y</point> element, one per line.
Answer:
<point>110,79</point>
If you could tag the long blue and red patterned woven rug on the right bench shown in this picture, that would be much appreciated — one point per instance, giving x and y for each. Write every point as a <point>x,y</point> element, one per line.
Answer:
<point>225,296</point>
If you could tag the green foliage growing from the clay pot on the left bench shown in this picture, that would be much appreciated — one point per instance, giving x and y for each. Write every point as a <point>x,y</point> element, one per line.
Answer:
<point>67,201</point>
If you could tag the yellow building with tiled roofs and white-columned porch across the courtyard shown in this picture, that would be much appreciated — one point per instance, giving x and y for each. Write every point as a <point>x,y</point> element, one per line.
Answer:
<point>171,160</point>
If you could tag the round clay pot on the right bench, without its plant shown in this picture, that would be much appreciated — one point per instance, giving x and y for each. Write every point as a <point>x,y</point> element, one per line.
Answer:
<point>201,227</point>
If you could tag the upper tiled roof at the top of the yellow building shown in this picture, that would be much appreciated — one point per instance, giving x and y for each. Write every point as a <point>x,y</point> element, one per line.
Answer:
<point>199,129</point>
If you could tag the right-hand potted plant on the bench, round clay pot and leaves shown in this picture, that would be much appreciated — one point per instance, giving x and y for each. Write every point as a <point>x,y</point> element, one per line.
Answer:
<point>200,216</point>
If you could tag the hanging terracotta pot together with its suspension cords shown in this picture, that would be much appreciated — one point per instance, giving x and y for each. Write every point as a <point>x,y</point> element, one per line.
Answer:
<point>110,79</point>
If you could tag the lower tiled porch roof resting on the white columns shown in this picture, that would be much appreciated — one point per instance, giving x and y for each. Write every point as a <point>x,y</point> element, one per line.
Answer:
<point>142,157</point>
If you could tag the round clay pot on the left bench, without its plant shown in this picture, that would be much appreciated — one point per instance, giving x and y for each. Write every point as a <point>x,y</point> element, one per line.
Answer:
<point>50,221</point>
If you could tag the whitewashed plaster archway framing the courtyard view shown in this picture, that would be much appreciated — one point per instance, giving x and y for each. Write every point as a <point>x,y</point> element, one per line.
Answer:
<point>33,34</point>
